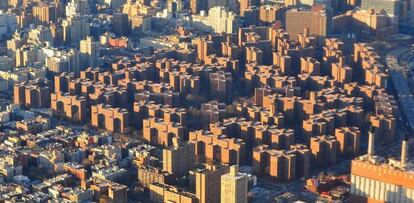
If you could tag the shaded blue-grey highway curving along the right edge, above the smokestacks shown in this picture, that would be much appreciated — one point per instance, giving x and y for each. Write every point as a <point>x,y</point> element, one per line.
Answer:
<point>405,97</point>
